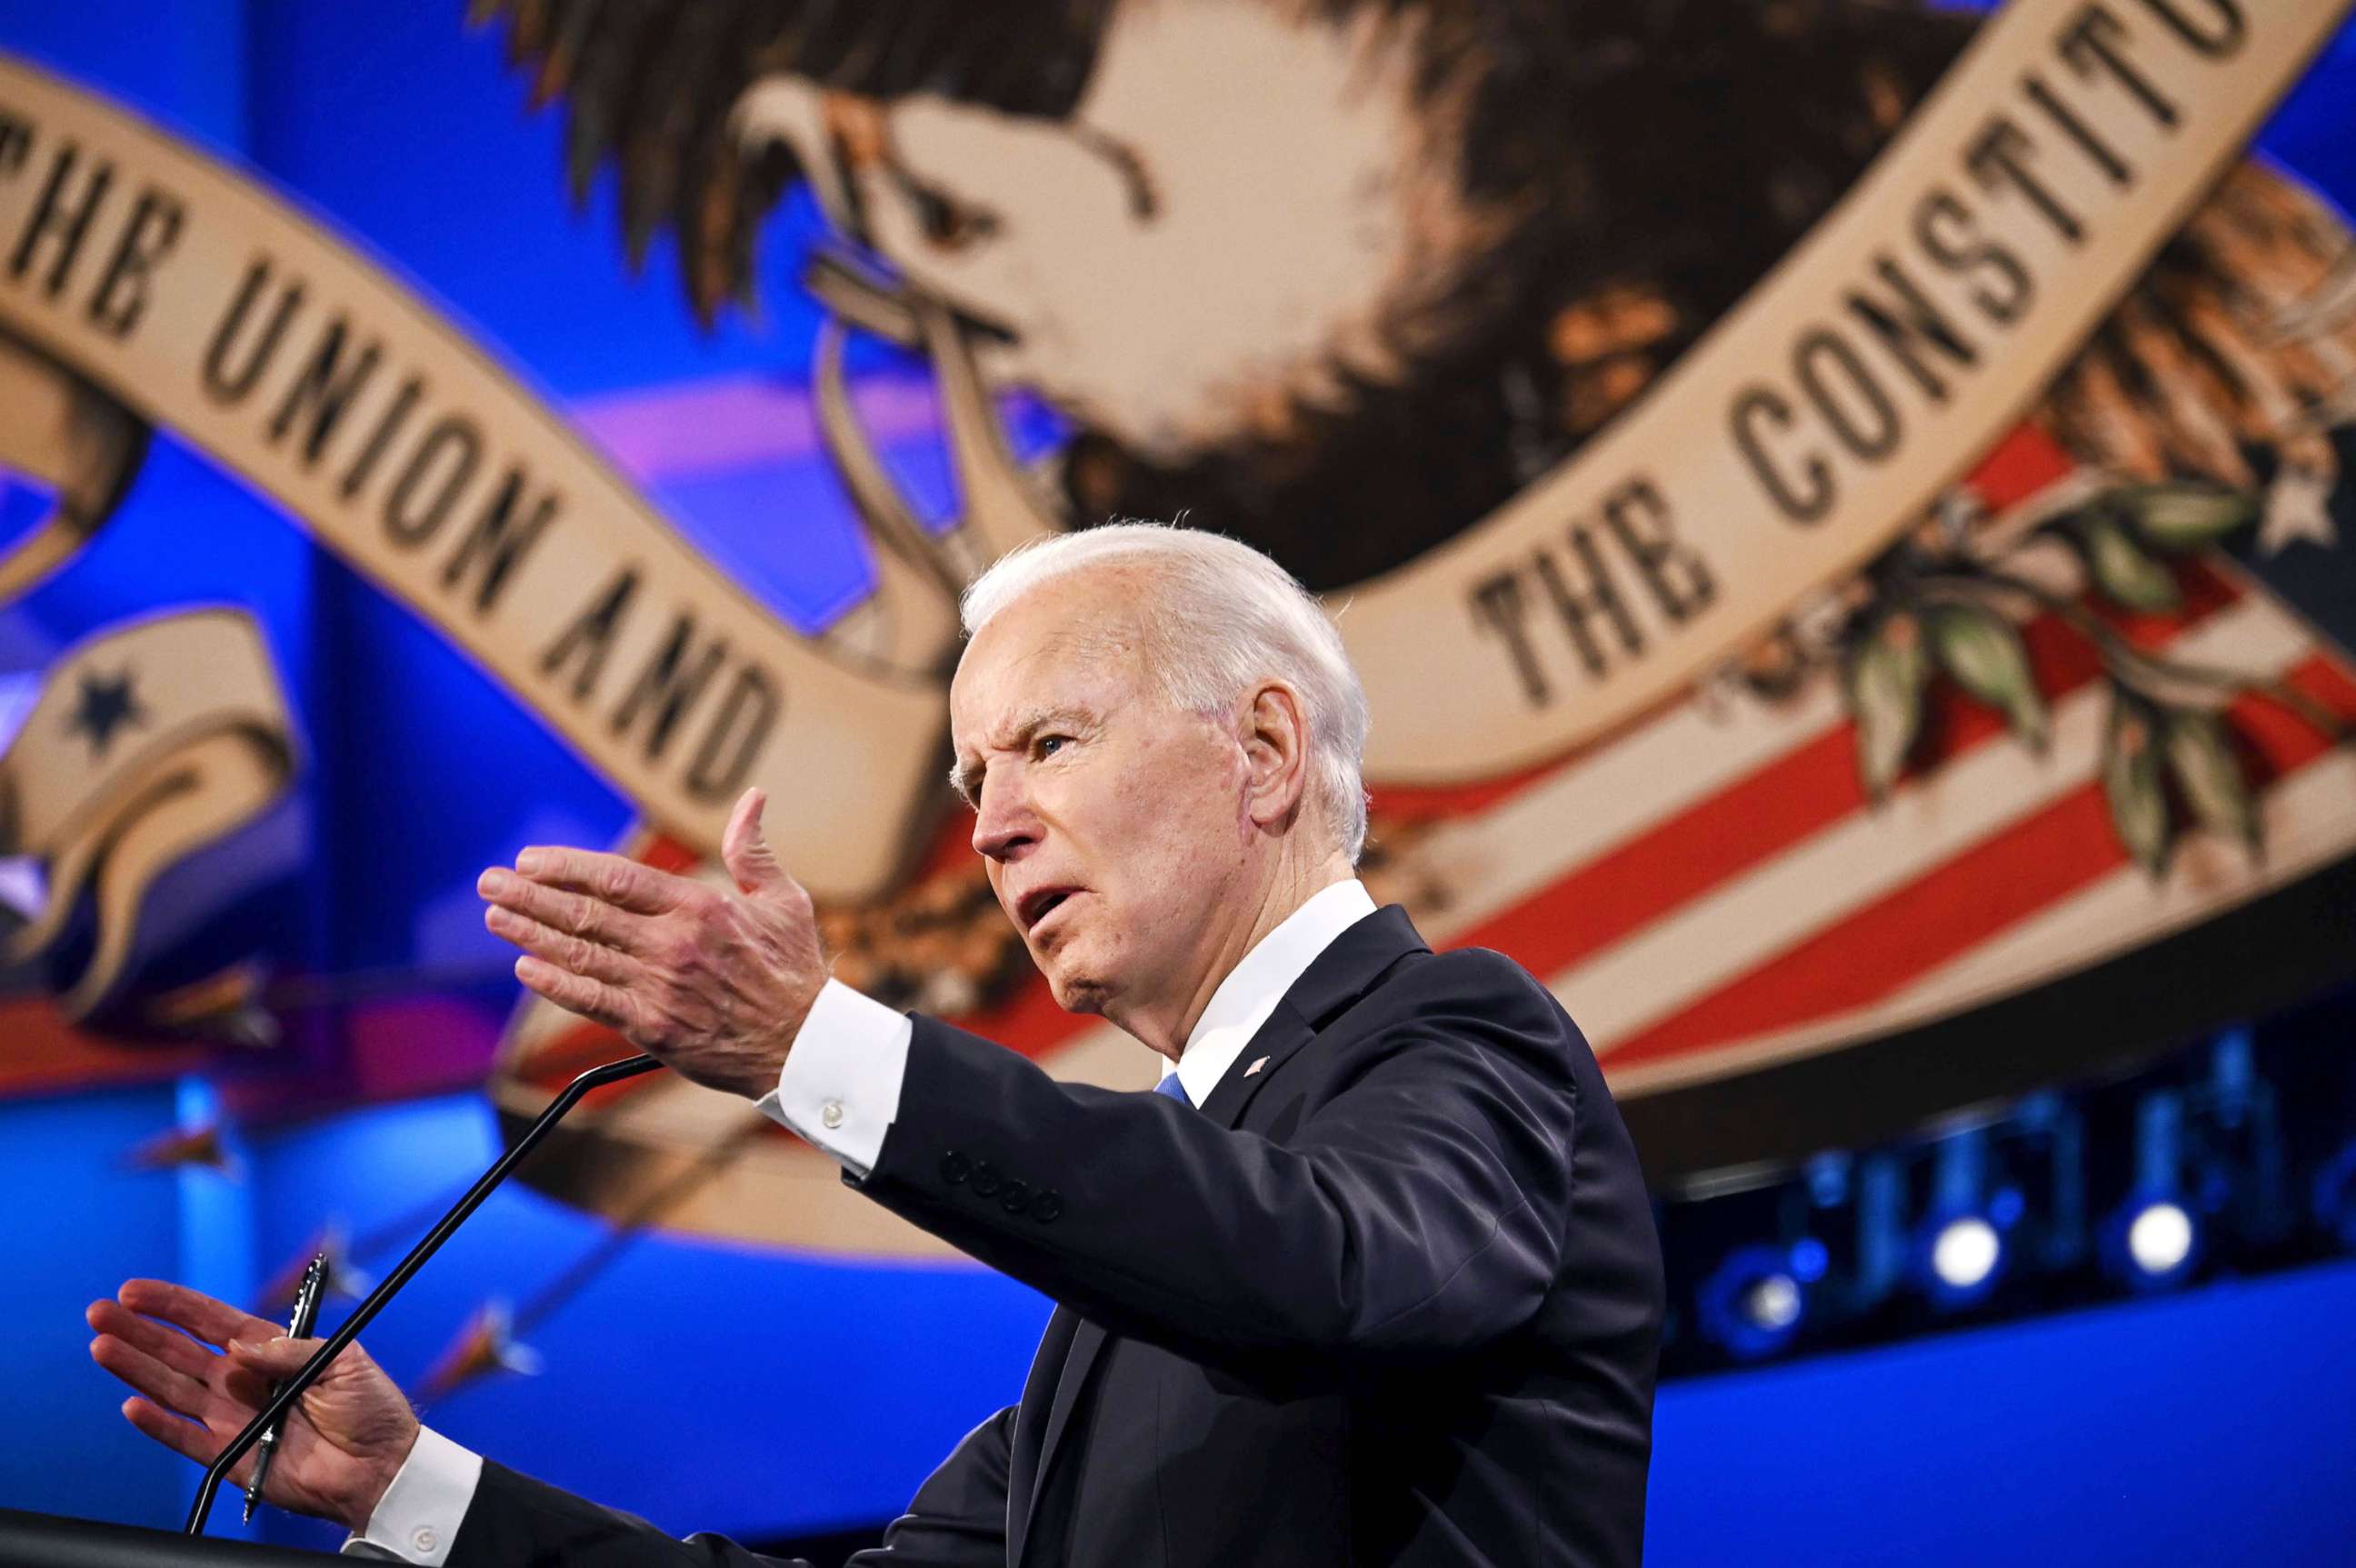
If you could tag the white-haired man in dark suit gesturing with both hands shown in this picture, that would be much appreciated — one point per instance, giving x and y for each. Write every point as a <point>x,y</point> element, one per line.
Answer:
<point>1372,1275</point>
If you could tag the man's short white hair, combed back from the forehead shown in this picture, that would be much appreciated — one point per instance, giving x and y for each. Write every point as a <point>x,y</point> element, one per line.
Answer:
<point>1219,618</point>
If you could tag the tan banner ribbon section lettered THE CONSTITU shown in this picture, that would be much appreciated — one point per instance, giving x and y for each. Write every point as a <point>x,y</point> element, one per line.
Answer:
<point>1822,416</point>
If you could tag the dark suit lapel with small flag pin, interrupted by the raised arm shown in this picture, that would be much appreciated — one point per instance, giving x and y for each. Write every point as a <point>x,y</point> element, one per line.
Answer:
<point>1337,978</point>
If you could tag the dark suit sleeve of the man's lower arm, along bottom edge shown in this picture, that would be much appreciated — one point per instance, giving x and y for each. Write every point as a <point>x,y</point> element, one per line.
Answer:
<point>958,1520</point>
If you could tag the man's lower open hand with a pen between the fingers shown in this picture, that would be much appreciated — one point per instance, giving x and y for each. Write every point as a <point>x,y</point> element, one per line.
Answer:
<point>338,1454</point>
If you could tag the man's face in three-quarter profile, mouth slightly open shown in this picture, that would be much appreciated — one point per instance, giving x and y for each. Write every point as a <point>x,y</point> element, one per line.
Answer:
<point>1111,823</point>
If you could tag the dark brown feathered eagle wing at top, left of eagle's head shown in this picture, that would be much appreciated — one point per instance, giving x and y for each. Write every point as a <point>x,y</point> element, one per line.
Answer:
<point>651,88</point>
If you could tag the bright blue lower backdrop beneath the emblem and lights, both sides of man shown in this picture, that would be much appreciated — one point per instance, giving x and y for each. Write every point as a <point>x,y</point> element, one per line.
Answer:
<point>713,1390</point>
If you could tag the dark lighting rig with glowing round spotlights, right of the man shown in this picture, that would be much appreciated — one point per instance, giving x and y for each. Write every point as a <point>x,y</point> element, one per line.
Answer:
<point>2232,1157</point>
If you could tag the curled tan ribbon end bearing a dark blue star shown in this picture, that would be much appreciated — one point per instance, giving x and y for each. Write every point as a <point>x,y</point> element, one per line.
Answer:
<point>145,745</point>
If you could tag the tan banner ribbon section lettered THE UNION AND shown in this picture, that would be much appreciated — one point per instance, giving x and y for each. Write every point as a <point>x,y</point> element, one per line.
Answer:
<point>213,310</point>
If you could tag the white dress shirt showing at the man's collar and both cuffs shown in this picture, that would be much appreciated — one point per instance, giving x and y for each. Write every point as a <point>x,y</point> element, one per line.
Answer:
<point>842,1091</point>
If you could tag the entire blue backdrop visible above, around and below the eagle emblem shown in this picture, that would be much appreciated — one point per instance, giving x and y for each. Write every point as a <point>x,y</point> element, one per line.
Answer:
<point>760,1395</point>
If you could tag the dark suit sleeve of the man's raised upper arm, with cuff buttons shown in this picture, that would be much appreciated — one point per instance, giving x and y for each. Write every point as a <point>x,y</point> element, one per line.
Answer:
<point>1415,1214</point>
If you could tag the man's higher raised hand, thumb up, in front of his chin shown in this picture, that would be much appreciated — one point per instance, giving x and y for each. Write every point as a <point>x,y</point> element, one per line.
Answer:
<point>715,983</point>
